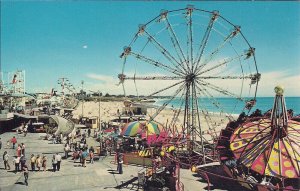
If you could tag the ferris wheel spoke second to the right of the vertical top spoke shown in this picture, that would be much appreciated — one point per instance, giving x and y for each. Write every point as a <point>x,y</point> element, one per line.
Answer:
<point>214,53</point>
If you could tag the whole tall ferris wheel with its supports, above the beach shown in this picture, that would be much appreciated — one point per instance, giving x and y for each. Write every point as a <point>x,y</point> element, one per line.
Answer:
<point>198,61</point>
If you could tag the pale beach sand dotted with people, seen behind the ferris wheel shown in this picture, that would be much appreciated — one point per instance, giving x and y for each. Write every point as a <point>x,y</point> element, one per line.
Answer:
<point>211,124</point>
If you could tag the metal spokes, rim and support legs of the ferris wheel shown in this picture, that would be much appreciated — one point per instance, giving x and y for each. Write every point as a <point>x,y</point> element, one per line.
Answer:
<point>189,70</point>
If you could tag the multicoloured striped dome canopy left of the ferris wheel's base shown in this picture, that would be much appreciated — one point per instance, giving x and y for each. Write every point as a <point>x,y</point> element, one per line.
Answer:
<point>138,127</point>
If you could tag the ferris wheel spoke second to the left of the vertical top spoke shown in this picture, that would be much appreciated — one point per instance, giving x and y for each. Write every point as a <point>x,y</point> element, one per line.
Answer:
<point>164,52</point>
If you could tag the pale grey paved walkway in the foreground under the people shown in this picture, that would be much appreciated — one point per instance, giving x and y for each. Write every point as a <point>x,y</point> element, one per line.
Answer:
<point>97,176</point>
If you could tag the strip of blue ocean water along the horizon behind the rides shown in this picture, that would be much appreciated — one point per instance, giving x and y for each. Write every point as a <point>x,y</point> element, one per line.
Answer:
<point>230,105</point>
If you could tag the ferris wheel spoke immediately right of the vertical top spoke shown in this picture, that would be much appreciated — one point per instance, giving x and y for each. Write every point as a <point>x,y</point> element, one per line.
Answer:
<point>205,38</point>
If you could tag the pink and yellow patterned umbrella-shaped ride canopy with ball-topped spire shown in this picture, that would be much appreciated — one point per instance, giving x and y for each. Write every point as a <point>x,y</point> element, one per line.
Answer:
<point>269,146</point>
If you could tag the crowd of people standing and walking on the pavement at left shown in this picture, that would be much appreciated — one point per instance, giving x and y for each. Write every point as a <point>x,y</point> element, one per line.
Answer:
<point>25,162</point>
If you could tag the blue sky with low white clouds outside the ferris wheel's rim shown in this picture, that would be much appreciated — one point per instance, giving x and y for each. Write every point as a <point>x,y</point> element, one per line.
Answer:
<point>83,40</point>
